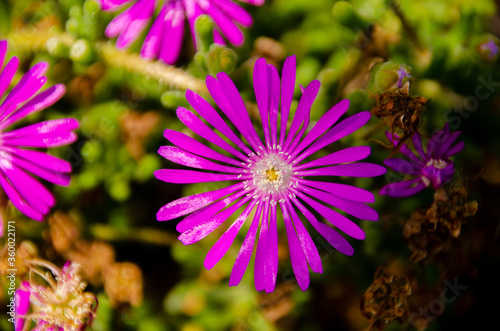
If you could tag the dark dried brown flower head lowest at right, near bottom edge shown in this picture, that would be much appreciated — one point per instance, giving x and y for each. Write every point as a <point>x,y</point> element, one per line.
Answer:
<point>386,299</point>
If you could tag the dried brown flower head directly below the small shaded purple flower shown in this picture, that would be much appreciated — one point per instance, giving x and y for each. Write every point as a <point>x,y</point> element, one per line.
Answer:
<point>428,232</point>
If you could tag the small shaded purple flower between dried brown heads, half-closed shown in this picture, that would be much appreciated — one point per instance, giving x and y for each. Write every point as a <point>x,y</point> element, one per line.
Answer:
<point>432,167</point>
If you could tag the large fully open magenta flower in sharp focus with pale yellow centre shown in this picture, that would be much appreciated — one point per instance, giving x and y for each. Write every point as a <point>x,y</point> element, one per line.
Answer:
<point>267,174</point>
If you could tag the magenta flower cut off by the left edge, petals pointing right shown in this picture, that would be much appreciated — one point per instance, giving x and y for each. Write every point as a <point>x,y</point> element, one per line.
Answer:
<point>27,194</point>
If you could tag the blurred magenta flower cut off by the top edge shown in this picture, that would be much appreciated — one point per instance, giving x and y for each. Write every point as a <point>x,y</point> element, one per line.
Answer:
<point>164,39</point>
